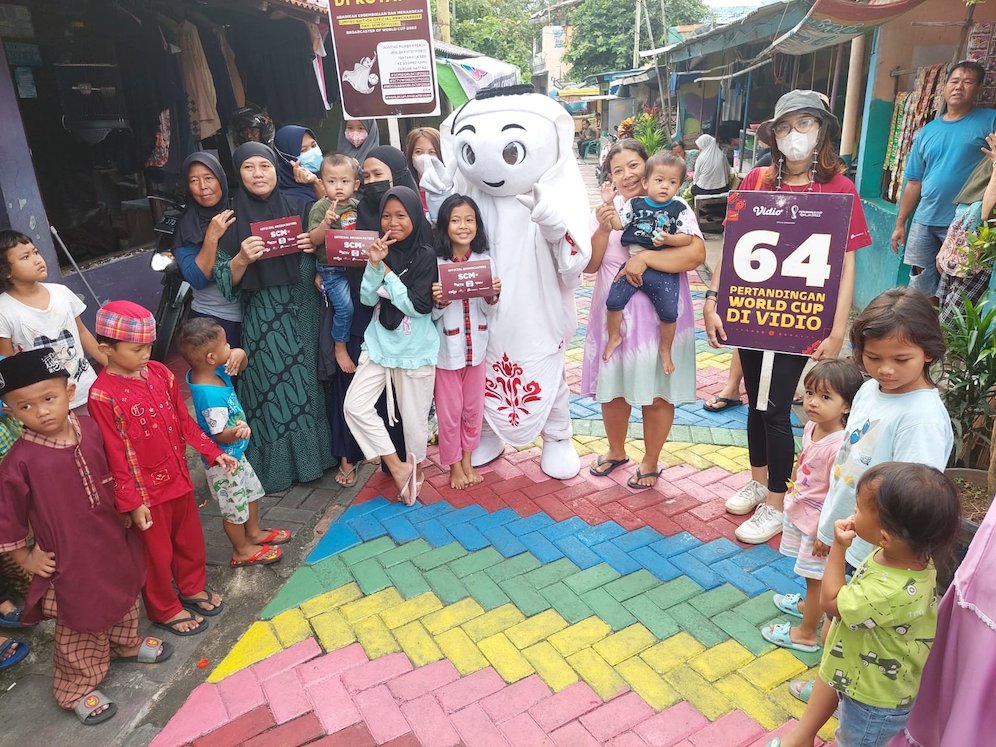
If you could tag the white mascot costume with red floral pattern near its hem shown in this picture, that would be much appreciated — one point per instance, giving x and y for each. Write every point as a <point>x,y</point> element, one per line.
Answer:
<point>513,152</point>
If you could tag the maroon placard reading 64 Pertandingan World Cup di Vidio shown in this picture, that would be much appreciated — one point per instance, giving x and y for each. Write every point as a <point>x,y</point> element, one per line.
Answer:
<point>783,255</point>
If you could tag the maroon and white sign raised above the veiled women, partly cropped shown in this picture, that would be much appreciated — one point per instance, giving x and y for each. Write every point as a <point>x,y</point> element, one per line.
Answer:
<point>385,57</point>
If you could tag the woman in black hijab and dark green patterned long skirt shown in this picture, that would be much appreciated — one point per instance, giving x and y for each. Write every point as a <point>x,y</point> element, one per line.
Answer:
<point>279,389</point>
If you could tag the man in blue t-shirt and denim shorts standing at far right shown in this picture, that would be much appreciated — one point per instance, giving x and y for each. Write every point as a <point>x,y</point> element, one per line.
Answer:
<point>944,153</point>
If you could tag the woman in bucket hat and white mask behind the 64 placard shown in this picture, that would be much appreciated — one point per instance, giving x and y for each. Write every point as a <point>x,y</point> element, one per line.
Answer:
<point>804,160</point>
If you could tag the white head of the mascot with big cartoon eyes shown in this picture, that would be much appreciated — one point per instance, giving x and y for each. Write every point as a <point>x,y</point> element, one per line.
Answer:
<point>507,139</point>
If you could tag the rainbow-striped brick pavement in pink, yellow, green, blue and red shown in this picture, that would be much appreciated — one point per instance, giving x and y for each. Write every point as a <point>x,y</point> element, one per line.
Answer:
<point>524,611</point>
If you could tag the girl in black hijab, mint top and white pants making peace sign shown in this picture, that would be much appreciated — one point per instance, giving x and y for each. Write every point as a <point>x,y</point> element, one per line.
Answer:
<point>400,344</point>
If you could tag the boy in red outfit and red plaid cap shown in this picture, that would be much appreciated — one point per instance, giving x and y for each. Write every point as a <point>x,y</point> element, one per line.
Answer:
<point>146,426</point>
